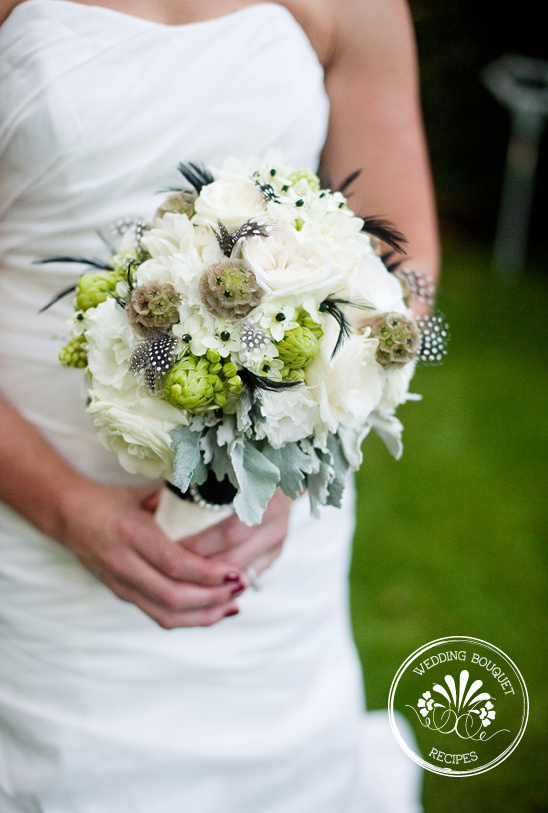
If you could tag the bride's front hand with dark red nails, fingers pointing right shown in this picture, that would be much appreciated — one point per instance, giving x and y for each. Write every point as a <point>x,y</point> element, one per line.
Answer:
<point>113,533</point>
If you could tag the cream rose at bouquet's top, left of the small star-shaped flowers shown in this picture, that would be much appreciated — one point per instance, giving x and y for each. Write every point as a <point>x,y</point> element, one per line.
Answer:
<point>232,200</point>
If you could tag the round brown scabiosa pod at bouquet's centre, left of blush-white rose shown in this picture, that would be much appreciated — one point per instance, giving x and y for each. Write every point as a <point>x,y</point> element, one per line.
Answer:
<point>229,289</point>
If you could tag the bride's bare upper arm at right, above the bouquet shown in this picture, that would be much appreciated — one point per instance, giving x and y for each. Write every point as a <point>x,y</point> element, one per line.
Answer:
<point>376,123</point>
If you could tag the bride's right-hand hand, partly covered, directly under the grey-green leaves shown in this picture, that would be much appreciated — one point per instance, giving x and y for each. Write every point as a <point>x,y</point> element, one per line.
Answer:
<point>242,546</point>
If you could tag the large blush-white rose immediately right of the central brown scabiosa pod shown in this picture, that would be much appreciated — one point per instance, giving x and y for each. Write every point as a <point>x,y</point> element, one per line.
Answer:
<point>285,264</point>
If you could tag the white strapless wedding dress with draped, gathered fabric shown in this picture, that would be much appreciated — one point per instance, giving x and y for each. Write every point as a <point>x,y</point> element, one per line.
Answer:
<point>101,711</point>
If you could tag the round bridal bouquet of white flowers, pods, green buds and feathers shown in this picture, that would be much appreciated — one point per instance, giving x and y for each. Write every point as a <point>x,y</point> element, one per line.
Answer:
<point>248,337</point>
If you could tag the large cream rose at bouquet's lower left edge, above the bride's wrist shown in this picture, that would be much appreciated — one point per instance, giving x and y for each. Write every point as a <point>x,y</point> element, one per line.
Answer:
<point>135,426</point>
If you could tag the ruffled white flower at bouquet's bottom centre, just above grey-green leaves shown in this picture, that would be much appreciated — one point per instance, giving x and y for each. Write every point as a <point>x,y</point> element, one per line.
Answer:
<point>291,415</point>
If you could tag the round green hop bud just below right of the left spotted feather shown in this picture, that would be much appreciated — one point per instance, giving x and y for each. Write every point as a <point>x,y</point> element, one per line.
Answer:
<point>189,384</point>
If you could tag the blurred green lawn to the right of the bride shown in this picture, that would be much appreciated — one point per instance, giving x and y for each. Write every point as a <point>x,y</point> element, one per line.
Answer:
<point>451,539</point>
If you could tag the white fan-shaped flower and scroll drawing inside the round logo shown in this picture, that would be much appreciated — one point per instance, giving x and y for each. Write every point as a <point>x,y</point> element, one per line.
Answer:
<point>462,709</point>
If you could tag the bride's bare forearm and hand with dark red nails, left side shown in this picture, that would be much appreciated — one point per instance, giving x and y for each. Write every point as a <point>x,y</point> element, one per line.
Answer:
<point>112,532</point>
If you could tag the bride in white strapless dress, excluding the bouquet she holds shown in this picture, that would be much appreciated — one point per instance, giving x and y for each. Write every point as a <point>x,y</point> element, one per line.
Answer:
<point>125,685</point>
